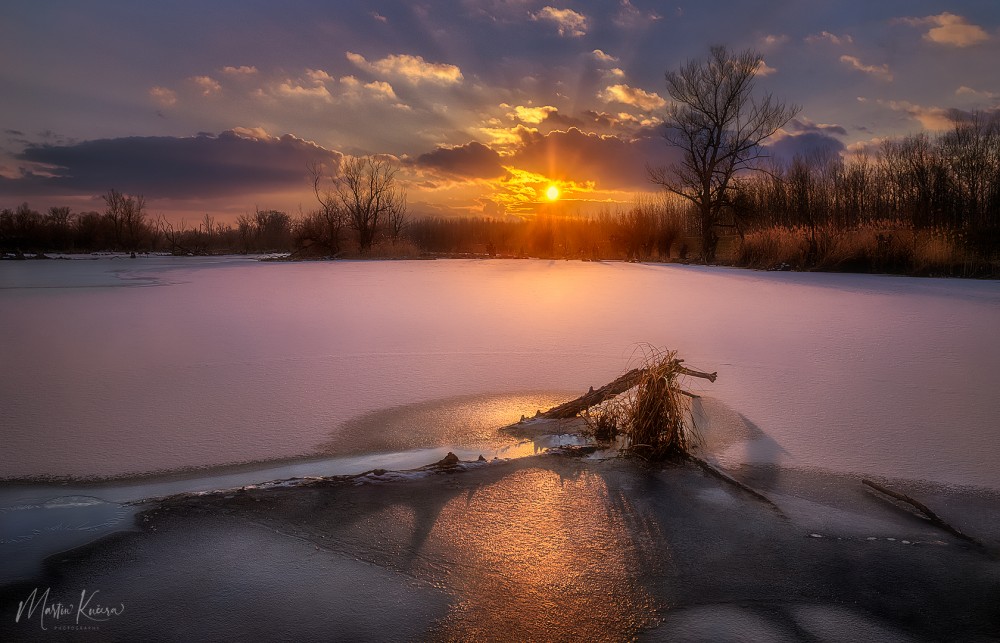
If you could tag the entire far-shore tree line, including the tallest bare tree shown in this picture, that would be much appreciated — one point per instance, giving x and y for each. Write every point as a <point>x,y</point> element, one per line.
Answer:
<point>927,204</point>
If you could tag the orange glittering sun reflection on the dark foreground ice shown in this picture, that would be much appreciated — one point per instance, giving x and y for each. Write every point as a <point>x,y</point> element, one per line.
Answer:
<point>540,556</point>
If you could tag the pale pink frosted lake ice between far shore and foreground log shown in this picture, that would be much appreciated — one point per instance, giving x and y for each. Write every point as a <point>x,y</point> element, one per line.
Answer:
<point>117,367</point>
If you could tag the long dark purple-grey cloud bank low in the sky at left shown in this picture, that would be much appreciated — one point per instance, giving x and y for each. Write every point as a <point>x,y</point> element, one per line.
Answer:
<point>231,163</point>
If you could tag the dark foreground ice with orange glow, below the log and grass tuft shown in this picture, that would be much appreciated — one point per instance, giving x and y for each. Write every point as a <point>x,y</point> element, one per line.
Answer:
<point>465,550</point>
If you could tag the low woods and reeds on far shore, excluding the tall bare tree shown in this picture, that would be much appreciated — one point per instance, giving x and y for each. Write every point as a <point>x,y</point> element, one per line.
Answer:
<point>921,204</point>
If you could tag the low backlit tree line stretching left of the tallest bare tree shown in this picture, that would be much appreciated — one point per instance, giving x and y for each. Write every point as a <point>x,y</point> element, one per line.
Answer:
<point>649,229</point>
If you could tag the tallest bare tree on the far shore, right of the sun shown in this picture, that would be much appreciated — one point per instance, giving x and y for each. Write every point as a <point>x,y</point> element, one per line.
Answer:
<point>720,126</point>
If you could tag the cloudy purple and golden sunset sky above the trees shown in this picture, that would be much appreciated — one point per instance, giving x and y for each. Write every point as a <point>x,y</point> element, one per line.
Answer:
<point>221,107</point>
